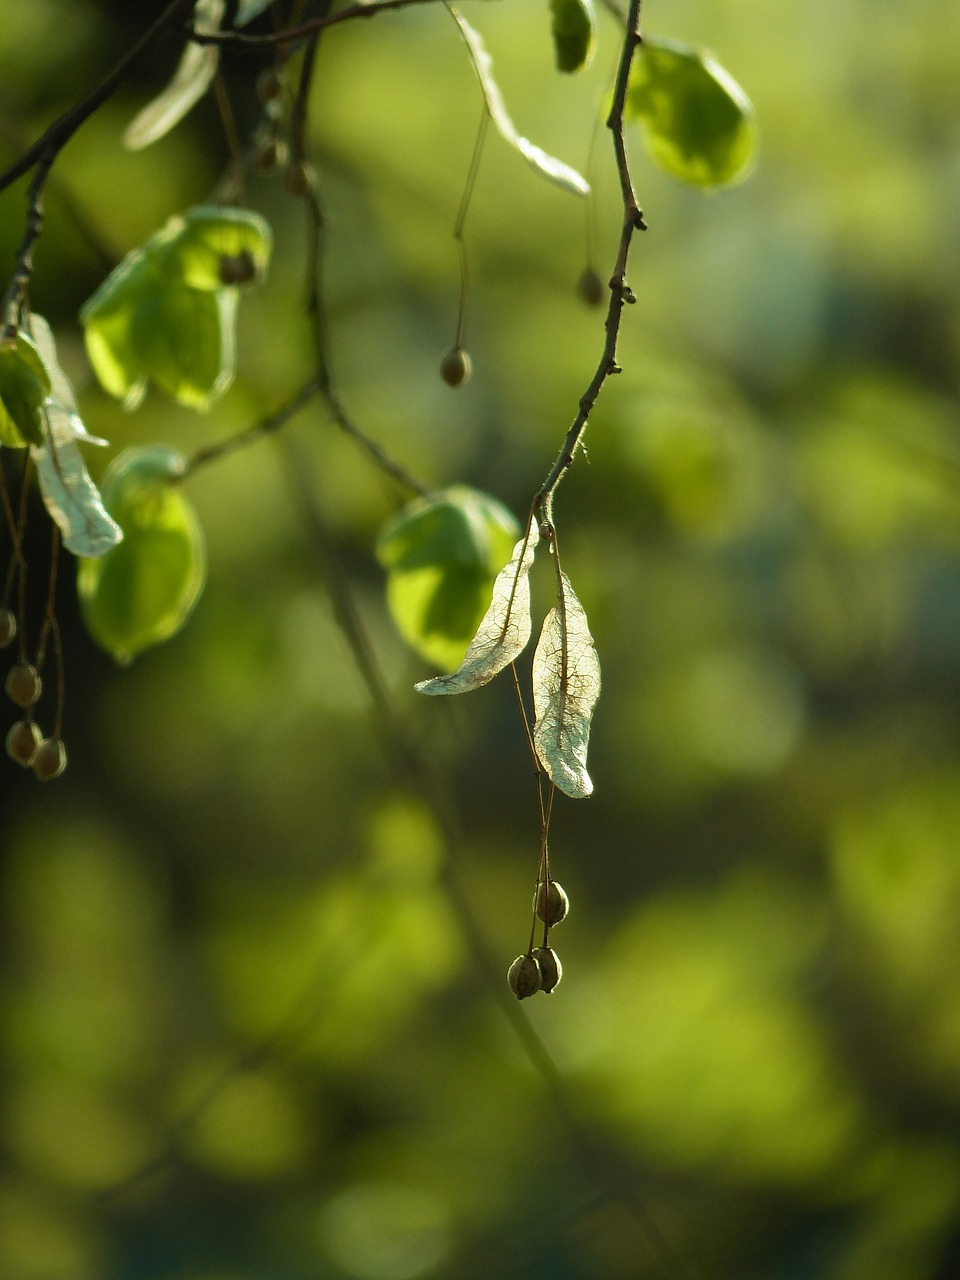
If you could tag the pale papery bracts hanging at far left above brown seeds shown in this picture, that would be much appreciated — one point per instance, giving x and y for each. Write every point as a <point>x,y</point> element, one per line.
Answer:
<point>70,496</point>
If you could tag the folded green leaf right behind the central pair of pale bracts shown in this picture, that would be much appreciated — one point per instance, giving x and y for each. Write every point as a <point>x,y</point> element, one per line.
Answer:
<point>442,555</point>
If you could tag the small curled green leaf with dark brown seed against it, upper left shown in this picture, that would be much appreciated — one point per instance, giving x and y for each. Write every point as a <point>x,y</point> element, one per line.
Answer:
<point>207,236</point>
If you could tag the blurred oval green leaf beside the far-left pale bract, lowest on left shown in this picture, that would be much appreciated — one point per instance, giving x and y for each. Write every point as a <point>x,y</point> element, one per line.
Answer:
<point>144,589</point>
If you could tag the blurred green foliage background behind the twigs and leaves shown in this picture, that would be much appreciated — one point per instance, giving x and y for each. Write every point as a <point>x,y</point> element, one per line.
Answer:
<point>246,1027</point>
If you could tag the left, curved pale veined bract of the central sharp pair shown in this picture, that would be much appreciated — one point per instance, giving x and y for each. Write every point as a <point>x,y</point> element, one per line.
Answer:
<point>505,629</point>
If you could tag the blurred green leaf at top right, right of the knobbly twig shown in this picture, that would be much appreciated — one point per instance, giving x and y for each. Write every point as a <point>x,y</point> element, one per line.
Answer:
<point>700,124</point>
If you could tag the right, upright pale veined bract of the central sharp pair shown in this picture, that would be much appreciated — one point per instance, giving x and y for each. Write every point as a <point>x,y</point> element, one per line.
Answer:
<point>566,687</point>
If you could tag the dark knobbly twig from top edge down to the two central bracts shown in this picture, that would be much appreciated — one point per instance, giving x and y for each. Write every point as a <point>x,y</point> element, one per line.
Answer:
<point>621,292</point>
